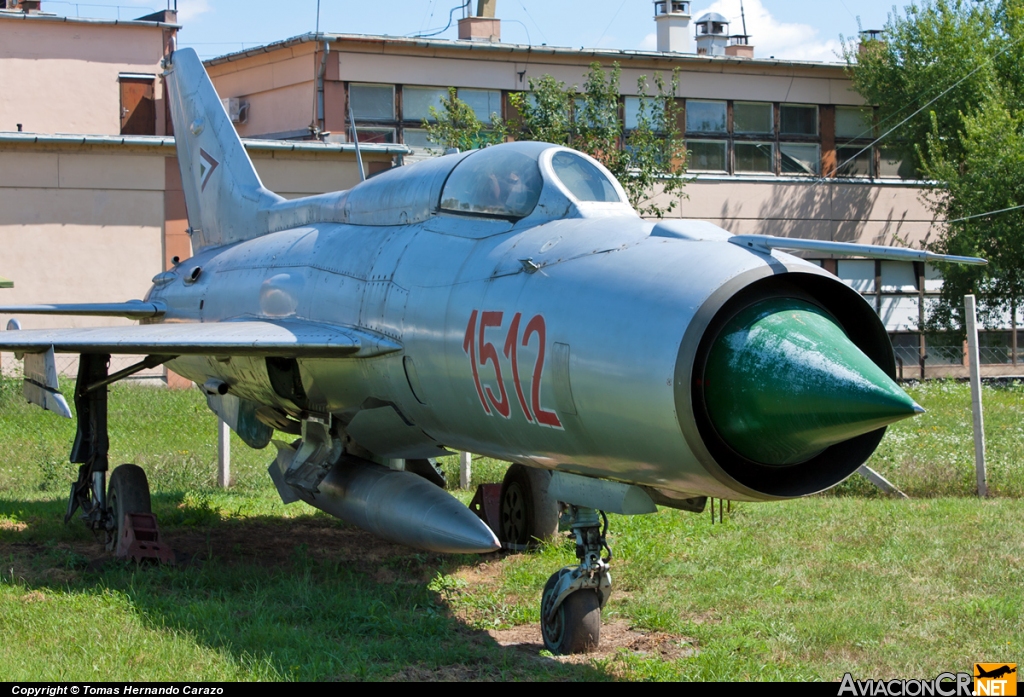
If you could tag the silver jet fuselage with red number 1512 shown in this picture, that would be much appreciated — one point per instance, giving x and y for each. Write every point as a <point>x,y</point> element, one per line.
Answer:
<point>610,307</point>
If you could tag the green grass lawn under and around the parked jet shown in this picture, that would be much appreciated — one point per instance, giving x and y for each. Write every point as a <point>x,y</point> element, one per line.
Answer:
<point>846,582</point>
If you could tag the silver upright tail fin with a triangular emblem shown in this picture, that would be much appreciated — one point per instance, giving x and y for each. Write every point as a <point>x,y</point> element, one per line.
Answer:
<point>224,194</point>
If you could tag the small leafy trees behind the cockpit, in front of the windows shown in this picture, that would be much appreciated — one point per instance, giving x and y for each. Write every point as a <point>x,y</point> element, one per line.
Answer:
<point>649,159</point>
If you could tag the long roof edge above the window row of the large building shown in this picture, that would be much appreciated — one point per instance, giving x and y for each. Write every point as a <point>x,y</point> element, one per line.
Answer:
<point>529,51</point>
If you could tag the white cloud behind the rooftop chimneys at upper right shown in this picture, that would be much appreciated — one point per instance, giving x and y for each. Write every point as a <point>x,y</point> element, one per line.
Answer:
<point>770,36</point>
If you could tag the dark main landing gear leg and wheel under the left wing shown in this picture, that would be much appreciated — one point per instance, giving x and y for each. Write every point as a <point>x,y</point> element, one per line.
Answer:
<point>107,509</point>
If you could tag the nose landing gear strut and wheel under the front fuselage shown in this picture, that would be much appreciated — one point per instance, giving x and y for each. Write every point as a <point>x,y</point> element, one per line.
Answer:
<point>574,596</point>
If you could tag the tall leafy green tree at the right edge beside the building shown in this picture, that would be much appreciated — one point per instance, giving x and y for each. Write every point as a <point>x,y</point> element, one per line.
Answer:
<point>960,66</point>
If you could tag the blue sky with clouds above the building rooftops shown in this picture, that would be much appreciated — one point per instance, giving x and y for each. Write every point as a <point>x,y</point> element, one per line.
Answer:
<point>786,29</point>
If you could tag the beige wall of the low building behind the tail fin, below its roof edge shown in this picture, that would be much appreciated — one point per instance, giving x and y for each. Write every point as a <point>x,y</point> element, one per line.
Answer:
<point>81,224</point>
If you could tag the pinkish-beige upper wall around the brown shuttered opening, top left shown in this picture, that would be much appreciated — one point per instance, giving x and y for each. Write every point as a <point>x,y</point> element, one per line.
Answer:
<point>63,77</point>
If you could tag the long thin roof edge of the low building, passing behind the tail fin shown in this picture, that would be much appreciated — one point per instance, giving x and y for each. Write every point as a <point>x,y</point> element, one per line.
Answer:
<point>168,142</point>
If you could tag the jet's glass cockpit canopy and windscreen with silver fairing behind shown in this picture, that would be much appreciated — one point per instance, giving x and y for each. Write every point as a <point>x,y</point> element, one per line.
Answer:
<point>511,182</point>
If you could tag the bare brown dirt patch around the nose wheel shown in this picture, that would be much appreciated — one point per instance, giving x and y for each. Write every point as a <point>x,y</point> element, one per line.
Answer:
<point>616,637</point>
